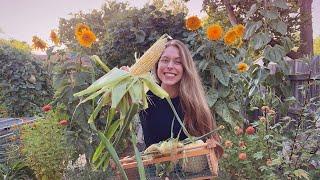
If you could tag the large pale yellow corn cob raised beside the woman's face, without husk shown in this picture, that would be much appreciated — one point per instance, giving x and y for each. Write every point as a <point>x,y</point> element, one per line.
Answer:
<point>150,57</point>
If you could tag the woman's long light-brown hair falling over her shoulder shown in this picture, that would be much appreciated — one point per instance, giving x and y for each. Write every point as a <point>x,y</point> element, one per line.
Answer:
<point>197,115</point>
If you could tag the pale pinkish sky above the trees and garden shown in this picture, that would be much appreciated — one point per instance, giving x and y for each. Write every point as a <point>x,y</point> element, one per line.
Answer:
<point>21,19</point>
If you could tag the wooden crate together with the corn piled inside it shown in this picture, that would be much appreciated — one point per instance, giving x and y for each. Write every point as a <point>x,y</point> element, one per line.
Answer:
<point>173,160</point>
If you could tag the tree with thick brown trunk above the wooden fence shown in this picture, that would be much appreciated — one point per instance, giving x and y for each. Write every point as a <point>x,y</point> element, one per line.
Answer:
<point>297,15</point>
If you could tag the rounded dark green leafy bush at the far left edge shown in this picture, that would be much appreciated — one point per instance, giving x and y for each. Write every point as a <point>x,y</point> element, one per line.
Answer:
<point>24,82</point>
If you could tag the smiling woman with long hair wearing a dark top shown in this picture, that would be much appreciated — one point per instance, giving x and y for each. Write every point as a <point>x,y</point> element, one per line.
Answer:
<point>177,74</point>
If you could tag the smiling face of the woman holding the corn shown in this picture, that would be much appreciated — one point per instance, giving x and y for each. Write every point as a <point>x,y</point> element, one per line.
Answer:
<point>170,68</point>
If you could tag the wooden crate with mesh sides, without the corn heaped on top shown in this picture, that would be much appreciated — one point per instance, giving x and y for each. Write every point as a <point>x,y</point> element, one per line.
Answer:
<point>204,155</point>
